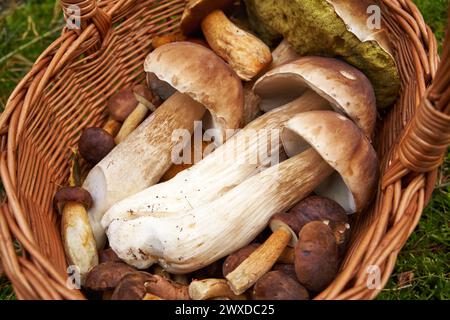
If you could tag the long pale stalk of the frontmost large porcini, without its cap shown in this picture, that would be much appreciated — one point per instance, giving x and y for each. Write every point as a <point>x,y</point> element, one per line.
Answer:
<point>182,242</point>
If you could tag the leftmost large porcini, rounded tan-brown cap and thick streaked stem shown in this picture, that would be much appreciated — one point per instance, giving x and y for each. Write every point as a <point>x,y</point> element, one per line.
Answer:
<point>142,160</point>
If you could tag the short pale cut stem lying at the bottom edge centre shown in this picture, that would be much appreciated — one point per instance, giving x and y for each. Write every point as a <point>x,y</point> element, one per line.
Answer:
<point>211,289</point>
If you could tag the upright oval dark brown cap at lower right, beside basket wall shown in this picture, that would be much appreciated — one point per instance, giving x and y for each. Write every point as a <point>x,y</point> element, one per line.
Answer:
<point>316,256</point>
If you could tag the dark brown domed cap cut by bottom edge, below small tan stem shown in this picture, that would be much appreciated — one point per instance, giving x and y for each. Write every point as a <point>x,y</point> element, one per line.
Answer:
<point>277,285</point>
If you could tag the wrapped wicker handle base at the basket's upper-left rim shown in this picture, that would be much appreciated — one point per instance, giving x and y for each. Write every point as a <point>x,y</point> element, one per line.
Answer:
<point>80,13</point>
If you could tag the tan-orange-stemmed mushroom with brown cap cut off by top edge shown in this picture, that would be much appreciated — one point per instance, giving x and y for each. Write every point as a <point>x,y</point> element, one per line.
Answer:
<point>244,52</point>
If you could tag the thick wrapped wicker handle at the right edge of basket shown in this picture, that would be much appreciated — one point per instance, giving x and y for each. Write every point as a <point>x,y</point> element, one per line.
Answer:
<point>427,137</point>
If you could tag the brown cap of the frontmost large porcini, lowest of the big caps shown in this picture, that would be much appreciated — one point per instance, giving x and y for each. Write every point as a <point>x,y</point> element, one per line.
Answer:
<point>344,147</point>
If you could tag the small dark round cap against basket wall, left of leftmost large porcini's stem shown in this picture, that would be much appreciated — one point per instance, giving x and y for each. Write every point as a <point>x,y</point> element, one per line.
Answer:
<point>95,144</point>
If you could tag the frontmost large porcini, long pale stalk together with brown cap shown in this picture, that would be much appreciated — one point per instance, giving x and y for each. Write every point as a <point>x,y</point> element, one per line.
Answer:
<point>184,241</point>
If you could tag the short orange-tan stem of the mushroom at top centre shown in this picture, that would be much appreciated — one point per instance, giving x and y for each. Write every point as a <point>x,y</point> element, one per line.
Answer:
<point>244,52</point>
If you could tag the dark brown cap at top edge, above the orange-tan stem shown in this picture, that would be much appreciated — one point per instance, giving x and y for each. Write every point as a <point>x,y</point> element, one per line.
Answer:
<point>197,10</point>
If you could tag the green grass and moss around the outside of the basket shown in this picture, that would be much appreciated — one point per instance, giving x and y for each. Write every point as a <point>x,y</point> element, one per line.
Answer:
<point>27,29</point>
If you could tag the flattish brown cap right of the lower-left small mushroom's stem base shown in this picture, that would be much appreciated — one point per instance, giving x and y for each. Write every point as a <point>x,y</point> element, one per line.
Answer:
<point>107,275</point>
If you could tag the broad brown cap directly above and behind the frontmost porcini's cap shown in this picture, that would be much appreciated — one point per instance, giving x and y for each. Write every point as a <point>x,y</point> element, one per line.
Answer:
<point>347,89</point>
